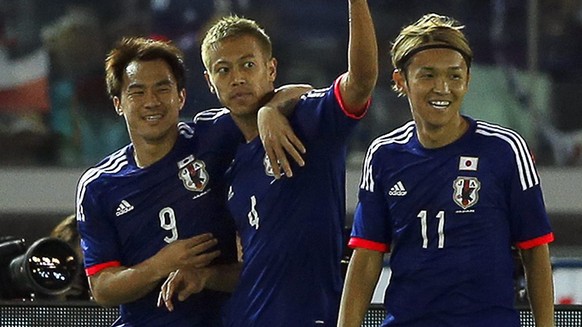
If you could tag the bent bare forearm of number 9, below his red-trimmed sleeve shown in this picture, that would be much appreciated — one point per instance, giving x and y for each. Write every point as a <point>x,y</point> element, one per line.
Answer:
<point>119,285</point>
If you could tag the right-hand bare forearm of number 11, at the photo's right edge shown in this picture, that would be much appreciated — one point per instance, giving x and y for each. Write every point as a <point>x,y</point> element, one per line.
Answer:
<point>540,288</point>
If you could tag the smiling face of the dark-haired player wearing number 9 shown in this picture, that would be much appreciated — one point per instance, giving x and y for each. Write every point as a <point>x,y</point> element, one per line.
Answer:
<point>150,101</point>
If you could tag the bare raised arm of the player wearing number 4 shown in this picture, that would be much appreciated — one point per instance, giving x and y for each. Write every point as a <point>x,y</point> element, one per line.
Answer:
<point>359,82</point>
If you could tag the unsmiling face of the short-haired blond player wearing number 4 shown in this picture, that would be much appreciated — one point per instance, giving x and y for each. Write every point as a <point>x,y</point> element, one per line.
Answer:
<point>240,74</point>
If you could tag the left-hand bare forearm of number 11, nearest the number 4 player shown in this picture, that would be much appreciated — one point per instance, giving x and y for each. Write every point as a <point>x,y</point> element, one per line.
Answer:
<point>363,273</point>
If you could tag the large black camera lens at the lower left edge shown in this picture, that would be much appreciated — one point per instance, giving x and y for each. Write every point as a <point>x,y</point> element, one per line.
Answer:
<point>46,268</point>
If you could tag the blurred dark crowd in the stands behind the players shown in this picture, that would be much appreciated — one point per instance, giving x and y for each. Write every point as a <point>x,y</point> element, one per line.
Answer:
<point>54,110</point>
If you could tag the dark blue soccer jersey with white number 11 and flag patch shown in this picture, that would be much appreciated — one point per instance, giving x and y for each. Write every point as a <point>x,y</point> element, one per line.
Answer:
<point>450,216</point>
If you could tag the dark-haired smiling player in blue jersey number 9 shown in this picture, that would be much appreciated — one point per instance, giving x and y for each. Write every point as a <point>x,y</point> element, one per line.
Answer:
<point>158,204</point>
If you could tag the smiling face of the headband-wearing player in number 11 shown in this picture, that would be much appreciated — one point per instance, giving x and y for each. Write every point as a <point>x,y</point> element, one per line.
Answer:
<point>436,82</point>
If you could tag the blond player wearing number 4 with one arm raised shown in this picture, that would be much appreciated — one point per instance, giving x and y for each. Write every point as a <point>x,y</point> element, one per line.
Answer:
<point>290,228</point>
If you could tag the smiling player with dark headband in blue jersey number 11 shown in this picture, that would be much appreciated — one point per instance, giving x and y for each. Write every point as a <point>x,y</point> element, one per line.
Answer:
<point>448,196</point>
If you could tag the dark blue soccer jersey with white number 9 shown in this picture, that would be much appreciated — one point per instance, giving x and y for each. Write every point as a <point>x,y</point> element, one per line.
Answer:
<point>126,214</point>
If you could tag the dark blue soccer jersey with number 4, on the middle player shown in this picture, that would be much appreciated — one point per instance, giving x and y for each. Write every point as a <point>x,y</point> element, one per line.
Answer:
<point>291,229</point>
